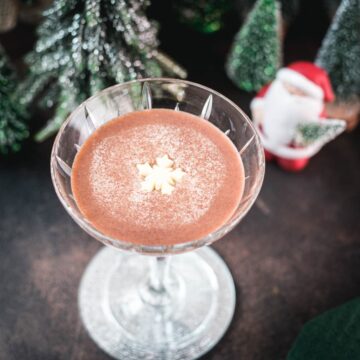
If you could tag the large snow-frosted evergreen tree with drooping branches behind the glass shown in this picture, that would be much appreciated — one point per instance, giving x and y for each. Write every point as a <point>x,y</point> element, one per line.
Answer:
<point>86,45</point>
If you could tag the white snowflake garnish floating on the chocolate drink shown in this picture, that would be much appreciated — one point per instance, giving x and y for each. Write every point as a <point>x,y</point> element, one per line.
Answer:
<point>163,175</point>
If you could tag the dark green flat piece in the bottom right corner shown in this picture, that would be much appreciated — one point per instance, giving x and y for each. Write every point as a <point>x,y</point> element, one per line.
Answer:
<point>334,335</point>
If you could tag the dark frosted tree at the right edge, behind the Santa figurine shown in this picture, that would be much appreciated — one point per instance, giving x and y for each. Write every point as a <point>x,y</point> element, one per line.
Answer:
<point>340,51</point>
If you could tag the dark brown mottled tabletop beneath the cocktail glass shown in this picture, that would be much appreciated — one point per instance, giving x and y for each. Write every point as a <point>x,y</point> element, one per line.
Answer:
<point>295,255</point>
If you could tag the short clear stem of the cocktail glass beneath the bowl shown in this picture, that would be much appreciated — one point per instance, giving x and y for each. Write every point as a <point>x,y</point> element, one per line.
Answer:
<point>155,291</point>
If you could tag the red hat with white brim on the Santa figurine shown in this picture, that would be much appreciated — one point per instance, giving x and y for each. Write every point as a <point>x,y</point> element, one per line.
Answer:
<point>308,77</point>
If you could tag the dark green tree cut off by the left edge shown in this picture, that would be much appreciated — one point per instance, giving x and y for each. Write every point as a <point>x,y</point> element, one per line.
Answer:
<point>13,126</point>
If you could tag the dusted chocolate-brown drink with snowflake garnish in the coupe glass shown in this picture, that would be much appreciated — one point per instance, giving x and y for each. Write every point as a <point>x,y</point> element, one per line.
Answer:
<point>157,177</point>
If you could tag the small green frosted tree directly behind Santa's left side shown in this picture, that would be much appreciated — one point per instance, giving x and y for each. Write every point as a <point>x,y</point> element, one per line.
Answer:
<point>256,52</point>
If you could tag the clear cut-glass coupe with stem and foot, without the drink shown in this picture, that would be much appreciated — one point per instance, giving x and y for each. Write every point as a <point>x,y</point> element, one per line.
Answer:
<point>157,302</point>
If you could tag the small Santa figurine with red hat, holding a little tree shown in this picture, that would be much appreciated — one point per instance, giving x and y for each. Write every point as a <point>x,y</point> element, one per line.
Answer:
<point>290,115</point>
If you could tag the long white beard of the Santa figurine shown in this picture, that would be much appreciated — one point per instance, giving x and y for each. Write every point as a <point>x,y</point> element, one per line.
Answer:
<point>284,111</point>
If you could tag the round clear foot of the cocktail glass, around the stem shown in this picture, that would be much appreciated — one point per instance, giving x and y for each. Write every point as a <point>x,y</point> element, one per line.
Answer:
<point>121,321</point>
